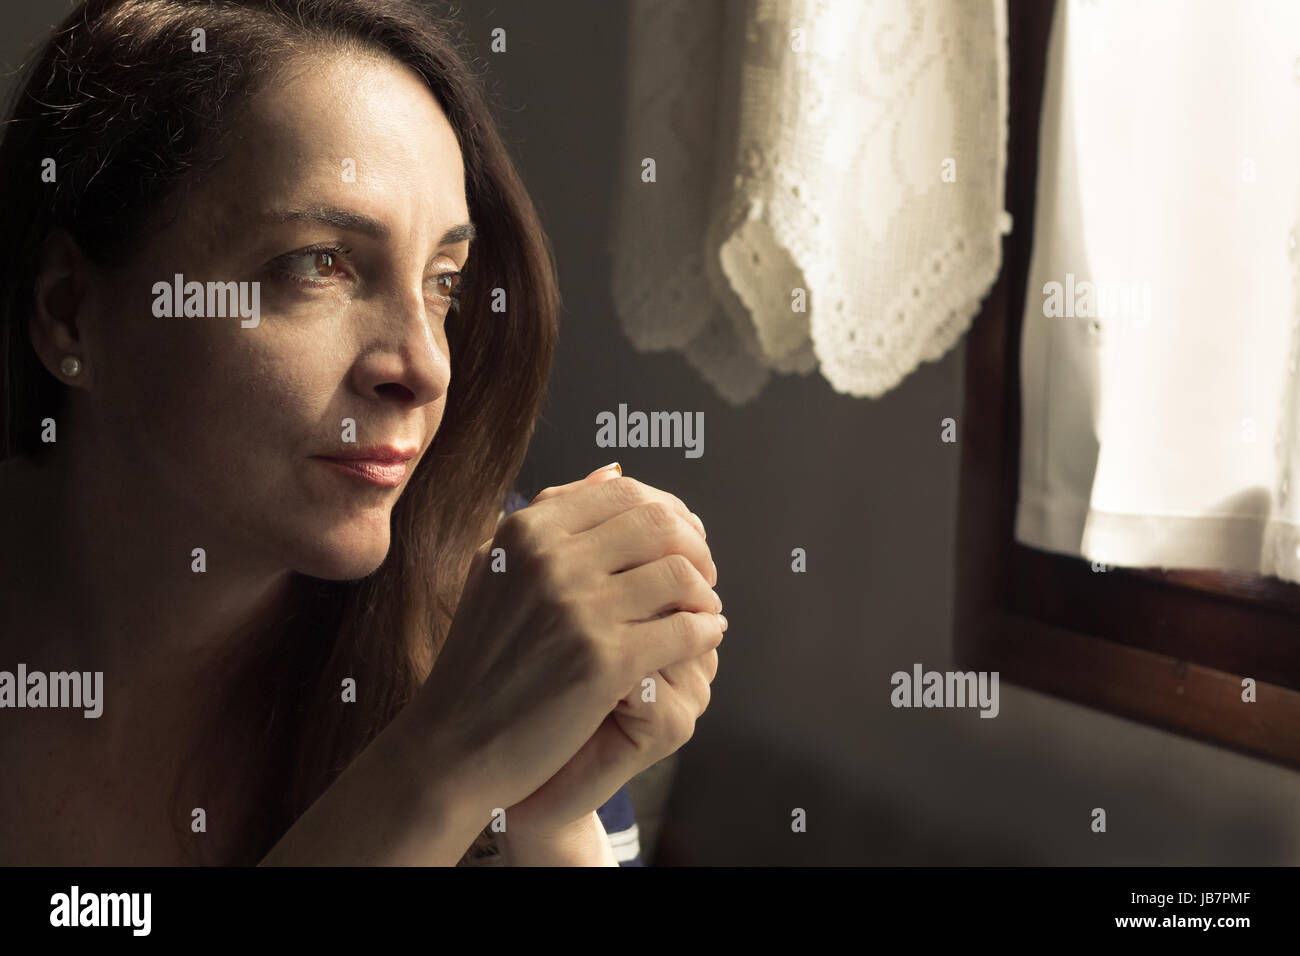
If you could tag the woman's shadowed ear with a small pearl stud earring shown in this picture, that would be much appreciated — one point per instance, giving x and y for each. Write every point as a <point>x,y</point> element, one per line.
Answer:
<point>58,326</point>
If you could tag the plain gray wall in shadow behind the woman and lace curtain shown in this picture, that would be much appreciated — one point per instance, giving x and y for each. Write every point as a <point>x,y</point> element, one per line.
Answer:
<point>800,715</point>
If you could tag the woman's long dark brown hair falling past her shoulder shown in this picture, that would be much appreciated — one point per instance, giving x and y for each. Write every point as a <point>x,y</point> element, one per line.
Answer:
<point>129,114</point>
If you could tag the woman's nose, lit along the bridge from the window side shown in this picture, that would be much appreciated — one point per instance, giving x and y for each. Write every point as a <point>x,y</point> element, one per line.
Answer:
<point>409,362</point>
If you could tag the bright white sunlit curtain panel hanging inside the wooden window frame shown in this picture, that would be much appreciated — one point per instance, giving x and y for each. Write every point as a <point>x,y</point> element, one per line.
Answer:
<point>1159,365</point>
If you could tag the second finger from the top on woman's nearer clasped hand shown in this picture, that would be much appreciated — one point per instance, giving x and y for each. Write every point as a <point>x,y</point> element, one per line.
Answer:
<point>642,537</point>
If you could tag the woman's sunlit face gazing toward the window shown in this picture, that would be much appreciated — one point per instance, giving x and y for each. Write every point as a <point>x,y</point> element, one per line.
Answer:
<point>340,187</point>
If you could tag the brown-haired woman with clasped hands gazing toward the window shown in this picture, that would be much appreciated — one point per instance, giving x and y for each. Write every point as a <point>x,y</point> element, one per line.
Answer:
<point>240,483</point>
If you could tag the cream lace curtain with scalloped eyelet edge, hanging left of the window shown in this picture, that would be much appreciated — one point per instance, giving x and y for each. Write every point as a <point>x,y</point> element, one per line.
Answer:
<point>811,185</point>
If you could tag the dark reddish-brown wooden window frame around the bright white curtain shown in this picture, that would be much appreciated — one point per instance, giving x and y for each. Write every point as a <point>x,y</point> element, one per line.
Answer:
<point>1165,648</point>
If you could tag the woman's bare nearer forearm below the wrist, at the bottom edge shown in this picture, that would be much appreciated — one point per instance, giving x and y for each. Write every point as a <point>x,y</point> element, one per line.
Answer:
<point>383,811</point>
